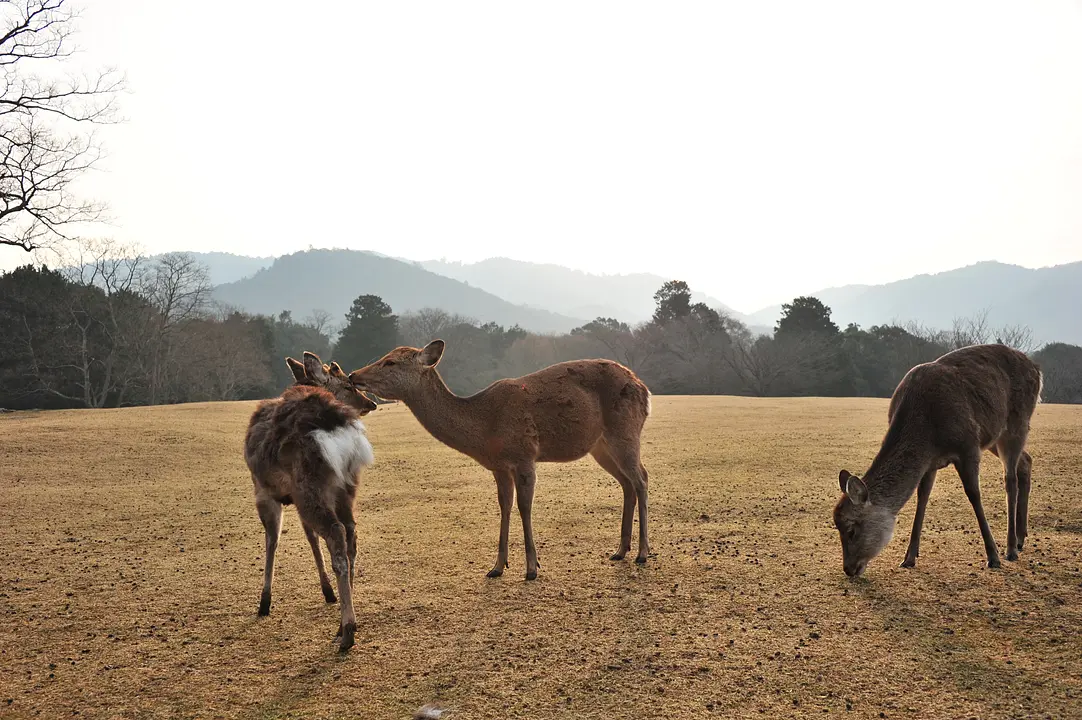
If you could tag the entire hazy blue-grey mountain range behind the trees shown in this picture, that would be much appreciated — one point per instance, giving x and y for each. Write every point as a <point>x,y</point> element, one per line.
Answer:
<point>547,298</point>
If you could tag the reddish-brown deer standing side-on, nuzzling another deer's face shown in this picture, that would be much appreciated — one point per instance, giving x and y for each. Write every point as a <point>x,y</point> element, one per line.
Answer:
<point>556,415</point>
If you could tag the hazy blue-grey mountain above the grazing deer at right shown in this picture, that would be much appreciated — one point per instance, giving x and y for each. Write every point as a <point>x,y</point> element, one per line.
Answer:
<point>1048,300</point>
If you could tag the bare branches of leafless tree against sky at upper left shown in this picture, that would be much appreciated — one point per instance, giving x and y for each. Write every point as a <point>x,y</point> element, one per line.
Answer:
<point>44,146</point>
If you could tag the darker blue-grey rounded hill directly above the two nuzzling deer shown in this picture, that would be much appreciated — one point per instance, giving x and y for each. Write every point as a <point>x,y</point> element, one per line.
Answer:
<point>332,280</point>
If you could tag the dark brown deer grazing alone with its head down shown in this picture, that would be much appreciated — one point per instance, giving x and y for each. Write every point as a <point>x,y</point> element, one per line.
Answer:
<point>945,413</point>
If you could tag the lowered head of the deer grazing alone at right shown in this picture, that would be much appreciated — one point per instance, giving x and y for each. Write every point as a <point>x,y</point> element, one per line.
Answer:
<point>866,529</point>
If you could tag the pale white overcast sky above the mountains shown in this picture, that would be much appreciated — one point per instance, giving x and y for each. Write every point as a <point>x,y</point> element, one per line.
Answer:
<point>757,150</point>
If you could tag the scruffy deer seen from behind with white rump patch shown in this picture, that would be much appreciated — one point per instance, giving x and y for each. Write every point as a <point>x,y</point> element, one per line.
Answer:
<point>306,449</point>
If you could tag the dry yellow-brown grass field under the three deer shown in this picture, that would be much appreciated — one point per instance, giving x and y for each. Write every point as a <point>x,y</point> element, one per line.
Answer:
<point>133,565</point>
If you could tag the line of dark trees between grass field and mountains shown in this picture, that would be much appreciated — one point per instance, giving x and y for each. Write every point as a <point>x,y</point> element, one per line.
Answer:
<point>114,330</point>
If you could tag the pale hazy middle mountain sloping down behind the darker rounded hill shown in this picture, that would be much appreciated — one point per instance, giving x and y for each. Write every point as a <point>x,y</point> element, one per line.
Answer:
<point>628,298</point>
